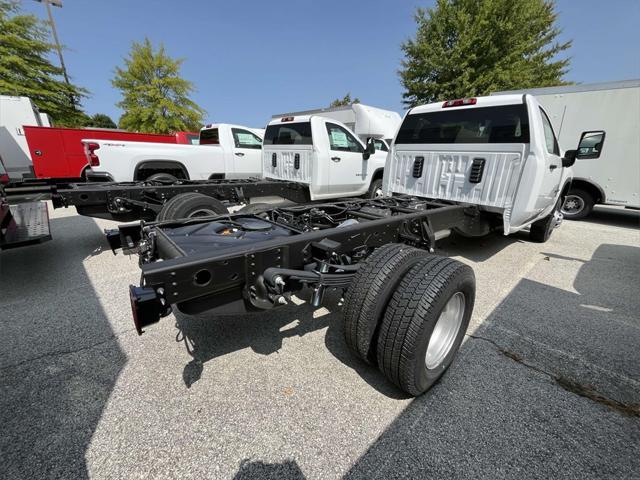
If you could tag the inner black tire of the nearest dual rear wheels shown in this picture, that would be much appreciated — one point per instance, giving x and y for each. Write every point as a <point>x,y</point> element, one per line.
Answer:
<point>369,293</point>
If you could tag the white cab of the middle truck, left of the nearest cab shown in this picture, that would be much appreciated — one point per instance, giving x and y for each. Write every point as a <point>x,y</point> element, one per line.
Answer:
<point>323,154</point>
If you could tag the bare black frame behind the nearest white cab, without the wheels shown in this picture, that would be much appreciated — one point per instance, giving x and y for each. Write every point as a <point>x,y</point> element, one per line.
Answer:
<point>250,262</point>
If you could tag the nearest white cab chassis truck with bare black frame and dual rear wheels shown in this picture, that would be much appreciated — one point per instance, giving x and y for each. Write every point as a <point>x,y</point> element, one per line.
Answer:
<point>466,164</point>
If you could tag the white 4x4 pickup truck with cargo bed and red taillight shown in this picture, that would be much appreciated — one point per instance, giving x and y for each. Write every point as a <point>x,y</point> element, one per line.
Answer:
<point>225,151</point>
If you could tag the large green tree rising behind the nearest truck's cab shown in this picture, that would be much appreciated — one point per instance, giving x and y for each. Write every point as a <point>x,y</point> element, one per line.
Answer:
<point>474,47</point>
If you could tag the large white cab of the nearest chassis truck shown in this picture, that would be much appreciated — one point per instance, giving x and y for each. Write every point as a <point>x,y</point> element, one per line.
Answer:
<point>499,153</point>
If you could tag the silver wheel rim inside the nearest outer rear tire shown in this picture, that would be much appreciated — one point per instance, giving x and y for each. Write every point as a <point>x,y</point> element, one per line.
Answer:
<point>445,332</point>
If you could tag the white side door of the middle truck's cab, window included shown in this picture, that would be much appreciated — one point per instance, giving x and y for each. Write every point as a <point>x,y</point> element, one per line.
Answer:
<point>347,168</point>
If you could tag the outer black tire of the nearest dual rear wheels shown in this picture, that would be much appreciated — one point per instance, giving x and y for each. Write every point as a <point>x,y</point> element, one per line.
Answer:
<point>411,317</point>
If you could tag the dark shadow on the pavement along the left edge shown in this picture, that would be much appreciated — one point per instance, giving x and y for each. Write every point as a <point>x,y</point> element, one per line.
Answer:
<point>58,360</point>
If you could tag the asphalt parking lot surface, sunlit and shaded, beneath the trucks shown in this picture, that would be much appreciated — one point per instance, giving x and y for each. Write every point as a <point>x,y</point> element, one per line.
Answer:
<point>546,384</point>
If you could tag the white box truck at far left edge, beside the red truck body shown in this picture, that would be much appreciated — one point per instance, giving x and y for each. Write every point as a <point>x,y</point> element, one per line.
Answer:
<point>15,113</point>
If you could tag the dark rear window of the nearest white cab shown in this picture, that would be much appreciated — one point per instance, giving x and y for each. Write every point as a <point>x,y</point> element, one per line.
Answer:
<point>497,124</point>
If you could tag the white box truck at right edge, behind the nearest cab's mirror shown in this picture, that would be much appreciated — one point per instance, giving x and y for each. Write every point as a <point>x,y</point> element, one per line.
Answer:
<point>605,118</point>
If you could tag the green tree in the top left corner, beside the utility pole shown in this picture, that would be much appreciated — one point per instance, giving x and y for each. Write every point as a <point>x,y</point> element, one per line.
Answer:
<point>25,68</point>
